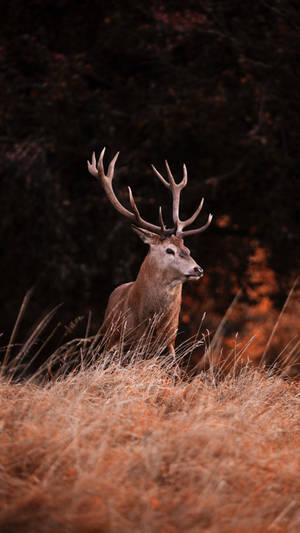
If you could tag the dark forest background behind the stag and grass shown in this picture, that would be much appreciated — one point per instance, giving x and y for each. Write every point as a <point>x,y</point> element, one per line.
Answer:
<point>212,84</point>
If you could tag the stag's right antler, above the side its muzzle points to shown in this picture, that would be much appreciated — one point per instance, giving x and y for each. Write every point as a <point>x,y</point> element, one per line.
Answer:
<point>176,189</point>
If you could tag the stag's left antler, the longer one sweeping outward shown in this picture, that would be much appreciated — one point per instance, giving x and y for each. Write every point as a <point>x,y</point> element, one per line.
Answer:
<point>97,170</point>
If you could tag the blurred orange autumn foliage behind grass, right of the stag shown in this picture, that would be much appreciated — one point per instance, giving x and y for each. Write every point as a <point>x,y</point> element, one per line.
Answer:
<point>253,320</point>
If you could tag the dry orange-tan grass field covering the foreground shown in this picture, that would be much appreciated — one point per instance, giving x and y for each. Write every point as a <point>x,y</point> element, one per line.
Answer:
<point>133,448</point>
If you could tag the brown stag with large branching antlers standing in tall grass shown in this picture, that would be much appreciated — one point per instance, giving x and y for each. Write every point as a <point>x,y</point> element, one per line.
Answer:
<point>155,296</point>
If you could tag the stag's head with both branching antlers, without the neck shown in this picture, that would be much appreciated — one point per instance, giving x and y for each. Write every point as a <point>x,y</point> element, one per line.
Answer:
<point>167,251</point>
